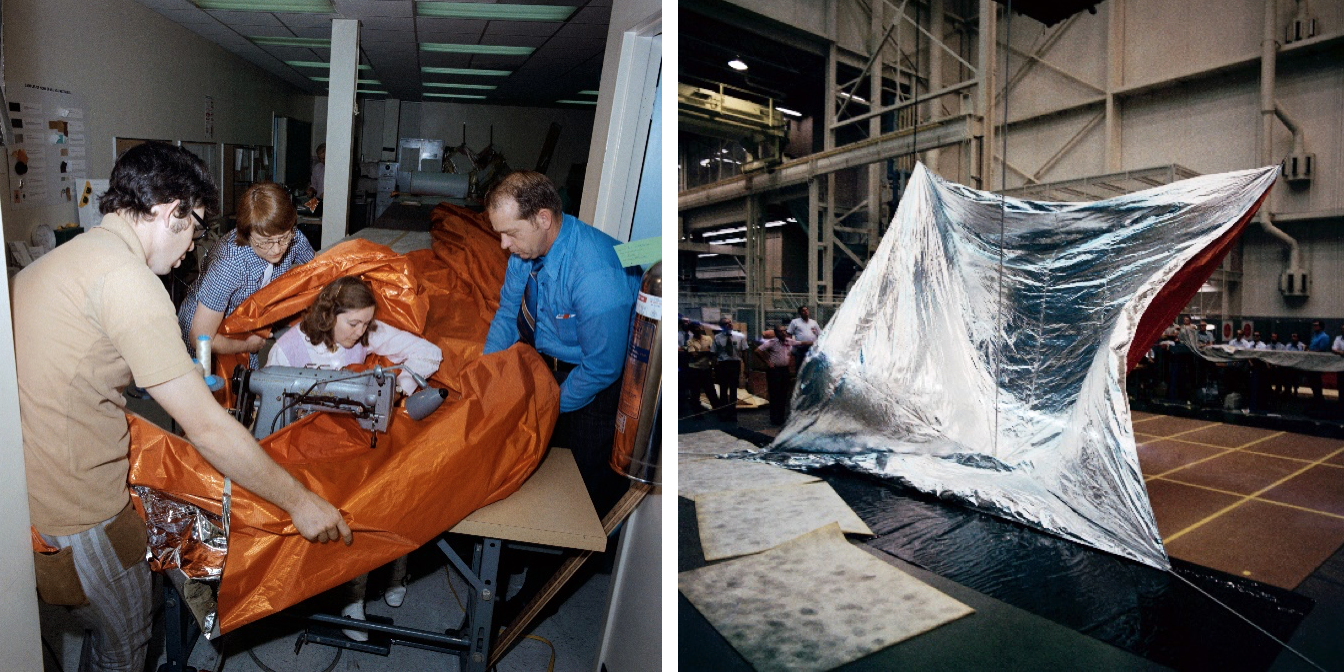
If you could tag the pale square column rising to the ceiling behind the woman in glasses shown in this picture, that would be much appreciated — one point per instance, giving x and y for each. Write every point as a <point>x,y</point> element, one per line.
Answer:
<point>341,130</point>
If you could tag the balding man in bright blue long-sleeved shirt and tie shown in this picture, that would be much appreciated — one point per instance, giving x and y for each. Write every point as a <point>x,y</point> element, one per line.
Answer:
<point>566,295</point>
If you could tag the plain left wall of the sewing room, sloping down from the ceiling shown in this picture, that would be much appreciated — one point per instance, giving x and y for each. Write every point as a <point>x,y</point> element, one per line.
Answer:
<point>139,76</point>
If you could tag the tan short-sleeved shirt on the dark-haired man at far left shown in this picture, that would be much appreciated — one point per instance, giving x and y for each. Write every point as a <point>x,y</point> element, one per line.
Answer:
<point>88,317</point>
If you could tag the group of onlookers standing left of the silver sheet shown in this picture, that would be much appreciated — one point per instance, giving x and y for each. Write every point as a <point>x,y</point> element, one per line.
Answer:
<point>722,358</point>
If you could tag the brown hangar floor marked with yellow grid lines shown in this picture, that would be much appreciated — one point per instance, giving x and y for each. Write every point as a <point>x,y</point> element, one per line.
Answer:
<point>1260,503</point>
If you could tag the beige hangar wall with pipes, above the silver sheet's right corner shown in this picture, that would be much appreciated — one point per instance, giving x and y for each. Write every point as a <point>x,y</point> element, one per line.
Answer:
<point>1209,124</point>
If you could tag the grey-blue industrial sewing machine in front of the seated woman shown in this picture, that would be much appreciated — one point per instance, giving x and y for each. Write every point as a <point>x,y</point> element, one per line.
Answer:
<point>275,397</point>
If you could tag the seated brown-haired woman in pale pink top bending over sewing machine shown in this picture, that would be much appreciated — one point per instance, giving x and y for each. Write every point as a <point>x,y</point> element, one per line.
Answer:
<point>338,331</point>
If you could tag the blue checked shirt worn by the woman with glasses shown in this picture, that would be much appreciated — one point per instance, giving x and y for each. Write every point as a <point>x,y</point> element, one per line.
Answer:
<point>233,274</point>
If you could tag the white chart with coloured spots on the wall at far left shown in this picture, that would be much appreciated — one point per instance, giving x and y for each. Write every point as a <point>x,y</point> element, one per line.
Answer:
<point>49,159</point>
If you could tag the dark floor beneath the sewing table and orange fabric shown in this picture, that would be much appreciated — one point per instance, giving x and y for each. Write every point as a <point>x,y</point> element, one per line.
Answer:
<point>571,628</point>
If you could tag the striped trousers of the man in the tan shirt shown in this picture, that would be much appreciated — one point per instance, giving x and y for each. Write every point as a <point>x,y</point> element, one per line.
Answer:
<point>120,607</point>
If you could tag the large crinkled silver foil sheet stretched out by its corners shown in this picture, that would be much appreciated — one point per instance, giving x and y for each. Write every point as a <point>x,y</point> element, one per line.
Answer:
<point>990,369</point>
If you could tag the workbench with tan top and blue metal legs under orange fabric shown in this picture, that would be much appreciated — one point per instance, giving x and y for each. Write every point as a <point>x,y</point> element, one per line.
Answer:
<point>550,511</point>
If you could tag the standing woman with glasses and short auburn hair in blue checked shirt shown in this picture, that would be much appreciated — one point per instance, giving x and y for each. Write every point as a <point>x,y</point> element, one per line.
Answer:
<point>261,249</point>
